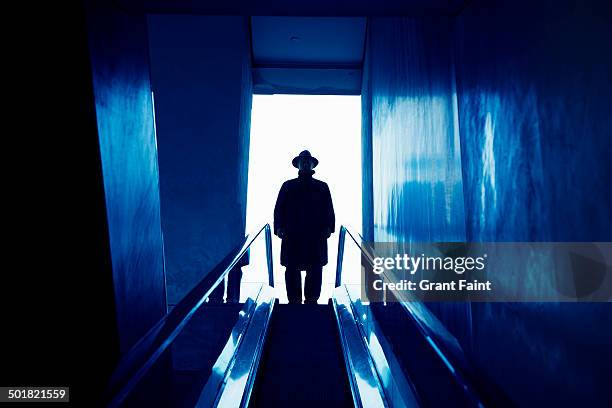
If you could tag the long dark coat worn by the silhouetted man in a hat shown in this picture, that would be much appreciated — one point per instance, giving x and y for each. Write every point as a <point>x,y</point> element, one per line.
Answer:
<point>305,214</point>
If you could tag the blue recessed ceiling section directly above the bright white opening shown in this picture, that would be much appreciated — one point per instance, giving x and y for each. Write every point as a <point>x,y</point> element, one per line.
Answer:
<point>307,55</point>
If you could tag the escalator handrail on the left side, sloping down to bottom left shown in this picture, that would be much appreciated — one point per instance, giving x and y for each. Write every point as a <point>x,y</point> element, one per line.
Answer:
<point>143,355</point>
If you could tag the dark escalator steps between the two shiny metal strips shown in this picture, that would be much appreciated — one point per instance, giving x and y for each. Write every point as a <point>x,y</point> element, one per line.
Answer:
<point>302,362</point>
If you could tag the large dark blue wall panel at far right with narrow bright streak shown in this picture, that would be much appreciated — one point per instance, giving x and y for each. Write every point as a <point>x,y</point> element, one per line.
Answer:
<point>534,91</point>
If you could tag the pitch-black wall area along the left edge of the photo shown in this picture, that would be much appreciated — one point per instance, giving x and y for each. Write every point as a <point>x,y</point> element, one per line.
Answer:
<point>54,228</point>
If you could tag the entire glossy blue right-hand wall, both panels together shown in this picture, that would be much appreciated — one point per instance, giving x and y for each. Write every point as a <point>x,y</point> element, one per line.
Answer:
<point>529,103</point>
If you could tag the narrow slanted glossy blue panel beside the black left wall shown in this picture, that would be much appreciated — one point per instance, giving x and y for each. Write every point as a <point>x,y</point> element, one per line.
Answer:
<point>124,111</point>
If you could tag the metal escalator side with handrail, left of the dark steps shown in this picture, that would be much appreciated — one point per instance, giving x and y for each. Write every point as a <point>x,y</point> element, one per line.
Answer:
<point>163,360</point>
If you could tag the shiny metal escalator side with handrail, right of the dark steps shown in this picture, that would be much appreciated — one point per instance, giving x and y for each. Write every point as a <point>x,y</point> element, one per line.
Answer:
<point>405,328</point>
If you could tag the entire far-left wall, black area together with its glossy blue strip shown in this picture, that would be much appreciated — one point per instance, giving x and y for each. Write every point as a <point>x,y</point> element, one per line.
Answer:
<point>67,257</point>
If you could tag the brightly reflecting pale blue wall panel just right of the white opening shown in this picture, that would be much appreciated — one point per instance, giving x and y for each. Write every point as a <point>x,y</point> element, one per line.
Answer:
<point>418,191</point>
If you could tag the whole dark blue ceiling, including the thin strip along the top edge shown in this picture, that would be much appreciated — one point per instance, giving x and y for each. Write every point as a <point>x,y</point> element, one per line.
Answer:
<point>304,46</point>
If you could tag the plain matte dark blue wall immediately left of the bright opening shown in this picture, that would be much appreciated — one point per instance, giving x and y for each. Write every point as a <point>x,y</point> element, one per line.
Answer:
<point>202,82</point>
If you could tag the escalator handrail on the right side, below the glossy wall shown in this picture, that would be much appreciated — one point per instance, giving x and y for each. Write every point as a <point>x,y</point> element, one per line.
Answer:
<point>426,331</point>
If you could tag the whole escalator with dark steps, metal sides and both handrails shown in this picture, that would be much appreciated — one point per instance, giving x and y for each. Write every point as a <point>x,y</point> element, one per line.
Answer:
<point>260,353</point>
